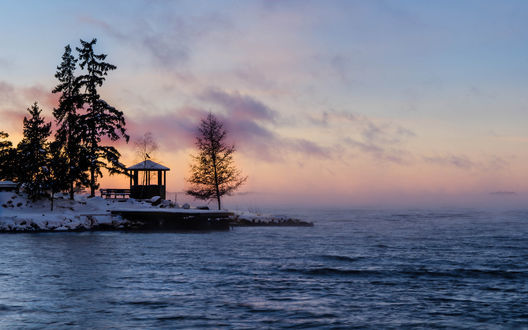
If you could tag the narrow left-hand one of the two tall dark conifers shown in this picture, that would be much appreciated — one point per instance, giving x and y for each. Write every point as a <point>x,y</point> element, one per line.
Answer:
<point>69,126</point>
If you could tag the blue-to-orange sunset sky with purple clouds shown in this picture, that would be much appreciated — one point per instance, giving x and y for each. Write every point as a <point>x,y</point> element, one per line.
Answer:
<point>329,103</point>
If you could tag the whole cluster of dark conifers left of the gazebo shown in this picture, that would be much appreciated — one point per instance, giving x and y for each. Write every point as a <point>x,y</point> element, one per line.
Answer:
<point>73,157</point>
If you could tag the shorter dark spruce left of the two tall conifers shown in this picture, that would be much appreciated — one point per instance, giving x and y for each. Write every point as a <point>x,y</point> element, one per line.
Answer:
<point>32,153</point>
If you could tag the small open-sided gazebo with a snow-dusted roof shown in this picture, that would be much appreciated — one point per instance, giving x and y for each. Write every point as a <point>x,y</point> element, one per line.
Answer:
<point>145,189</point>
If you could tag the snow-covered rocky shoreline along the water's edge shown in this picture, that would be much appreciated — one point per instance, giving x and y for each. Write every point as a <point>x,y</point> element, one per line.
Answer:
<point>19,215</point>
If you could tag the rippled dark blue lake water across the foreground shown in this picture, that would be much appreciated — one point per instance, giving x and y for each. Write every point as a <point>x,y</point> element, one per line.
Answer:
<point>352,269</point>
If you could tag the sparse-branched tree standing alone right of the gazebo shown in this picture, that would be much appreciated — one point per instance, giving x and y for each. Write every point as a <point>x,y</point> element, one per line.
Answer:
<point>213,173</point>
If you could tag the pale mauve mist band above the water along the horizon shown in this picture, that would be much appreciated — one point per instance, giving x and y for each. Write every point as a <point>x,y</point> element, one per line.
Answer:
<point>316,200</point>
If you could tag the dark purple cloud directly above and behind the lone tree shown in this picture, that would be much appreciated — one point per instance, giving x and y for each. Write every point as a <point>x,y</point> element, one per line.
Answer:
<point>248,121</point>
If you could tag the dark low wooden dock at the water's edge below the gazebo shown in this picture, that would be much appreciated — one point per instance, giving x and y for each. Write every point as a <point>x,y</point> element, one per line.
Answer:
<point>175,219</point>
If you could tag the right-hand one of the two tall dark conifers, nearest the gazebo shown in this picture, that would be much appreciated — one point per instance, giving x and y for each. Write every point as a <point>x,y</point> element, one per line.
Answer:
<point>100,119</point>
